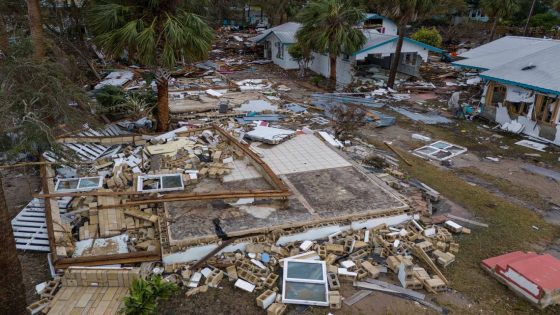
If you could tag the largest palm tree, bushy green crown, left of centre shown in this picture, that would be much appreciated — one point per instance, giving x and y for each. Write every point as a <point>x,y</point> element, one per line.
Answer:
<point>157,33</point>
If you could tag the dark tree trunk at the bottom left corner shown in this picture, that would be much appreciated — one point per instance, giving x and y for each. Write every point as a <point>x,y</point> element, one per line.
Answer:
<point>12,291</point>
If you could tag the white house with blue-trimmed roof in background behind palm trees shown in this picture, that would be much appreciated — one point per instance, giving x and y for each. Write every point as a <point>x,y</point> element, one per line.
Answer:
<point>378,51</point>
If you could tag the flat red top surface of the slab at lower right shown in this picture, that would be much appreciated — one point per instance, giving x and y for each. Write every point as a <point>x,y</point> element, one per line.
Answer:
<point>543,270</point>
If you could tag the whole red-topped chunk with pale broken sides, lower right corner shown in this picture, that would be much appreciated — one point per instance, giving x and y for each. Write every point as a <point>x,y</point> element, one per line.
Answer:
<point>533,276</point>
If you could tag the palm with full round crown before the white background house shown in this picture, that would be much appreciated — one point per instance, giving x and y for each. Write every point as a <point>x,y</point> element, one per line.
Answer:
<point>329,27</point>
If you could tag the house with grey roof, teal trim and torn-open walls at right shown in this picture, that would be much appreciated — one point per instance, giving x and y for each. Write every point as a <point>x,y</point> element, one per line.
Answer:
<point>522,87</point>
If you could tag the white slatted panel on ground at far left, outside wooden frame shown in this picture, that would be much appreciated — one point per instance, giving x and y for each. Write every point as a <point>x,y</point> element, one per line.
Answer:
<point>30,225</point>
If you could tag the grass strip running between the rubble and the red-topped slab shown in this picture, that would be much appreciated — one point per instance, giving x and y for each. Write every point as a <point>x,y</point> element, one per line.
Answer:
<point>510,230</point>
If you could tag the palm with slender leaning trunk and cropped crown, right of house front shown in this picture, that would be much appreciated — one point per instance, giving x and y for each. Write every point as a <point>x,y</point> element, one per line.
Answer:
<point>403,12</point>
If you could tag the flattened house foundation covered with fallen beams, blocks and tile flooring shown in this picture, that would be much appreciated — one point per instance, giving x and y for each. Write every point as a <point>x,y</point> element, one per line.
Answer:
<point>126,198</point>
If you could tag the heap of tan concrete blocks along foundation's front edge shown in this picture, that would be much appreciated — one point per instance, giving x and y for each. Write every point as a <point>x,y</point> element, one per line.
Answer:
<point>409,254</point>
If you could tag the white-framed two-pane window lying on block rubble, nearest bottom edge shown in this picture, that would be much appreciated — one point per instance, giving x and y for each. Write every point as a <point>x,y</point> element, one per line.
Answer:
<point>305,282</point>
